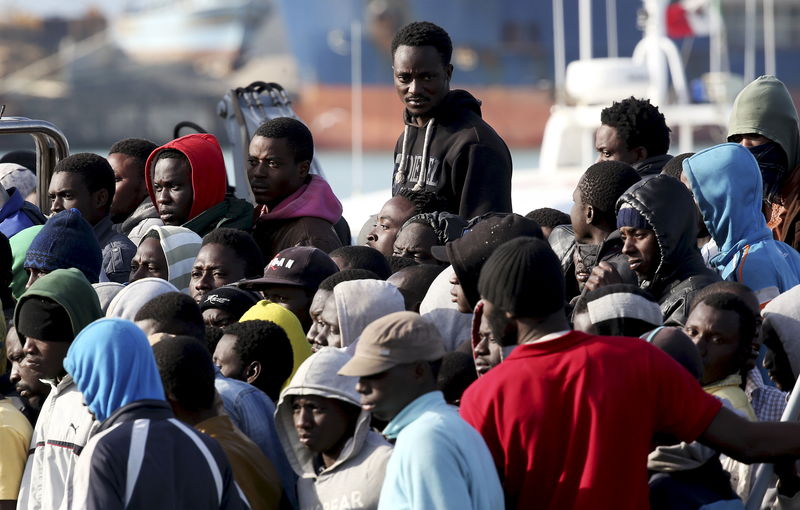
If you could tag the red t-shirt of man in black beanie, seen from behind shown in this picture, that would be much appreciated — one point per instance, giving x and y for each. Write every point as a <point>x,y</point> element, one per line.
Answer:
<point>570,421</point>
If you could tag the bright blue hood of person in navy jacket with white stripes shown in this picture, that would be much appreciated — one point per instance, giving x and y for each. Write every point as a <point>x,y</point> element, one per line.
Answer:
<point>112,363</point>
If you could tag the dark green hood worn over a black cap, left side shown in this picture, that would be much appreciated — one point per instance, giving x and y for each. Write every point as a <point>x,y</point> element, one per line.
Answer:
<point>70,289</point>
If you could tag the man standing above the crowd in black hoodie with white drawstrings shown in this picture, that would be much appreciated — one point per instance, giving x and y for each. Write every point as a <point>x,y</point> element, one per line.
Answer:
<point>446,147</point>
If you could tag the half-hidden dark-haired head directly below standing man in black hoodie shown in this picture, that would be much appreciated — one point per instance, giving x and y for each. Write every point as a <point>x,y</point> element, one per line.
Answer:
<point>424,231</point>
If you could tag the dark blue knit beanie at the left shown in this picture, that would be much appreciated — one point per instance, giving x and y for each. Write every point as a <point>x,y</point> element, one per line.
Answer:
<point>66,241</point>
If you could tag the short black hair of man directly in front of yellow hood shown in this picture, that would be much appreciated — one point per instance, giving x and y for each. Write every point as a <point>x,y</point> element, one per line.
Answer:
<point>267,343</point>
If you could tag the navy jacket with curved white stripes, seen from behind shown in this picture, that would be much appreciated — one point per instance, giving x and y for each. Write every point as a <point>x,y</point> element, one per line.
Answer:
<point>143,457</point>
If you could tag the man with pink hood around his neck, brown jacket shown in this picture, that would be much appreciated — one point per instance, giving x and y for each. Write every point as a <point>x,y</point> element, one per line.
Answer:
<point>293,207</point>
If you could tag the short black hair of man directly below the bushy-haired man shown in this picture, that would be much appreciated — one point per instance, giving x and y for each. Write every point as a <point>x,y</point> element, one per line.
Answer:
<point>603,183</point>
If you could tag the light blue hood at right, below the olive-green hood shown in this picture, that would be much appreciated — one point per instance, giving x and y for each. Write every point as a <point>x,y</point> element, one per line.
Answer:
<point>726,184</point>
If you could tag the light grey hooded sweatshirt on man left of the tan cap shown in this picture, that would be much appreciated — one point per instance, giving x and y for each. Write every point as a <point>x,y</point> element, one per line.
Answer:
<point>355,480</point>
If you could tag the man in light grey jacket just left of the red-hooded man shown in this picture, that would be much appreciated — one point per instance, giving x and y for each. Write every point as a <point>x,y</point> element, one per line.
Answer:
<point>132,211</point>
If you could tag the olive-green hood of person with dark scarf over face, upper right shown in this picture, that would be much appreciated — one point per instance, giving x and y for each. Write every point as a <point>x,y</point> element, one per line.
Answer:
<point>765,107</point>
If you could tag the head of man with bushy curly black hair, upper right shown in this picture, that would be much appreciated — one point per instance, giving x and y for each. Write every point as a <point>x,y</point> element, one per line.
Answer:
<point>633,131</point>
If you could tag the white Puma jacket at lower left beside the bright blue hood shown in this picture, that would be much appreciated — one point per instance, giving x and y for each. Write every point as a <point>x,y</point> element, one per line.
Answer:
<point>61,432</point>
